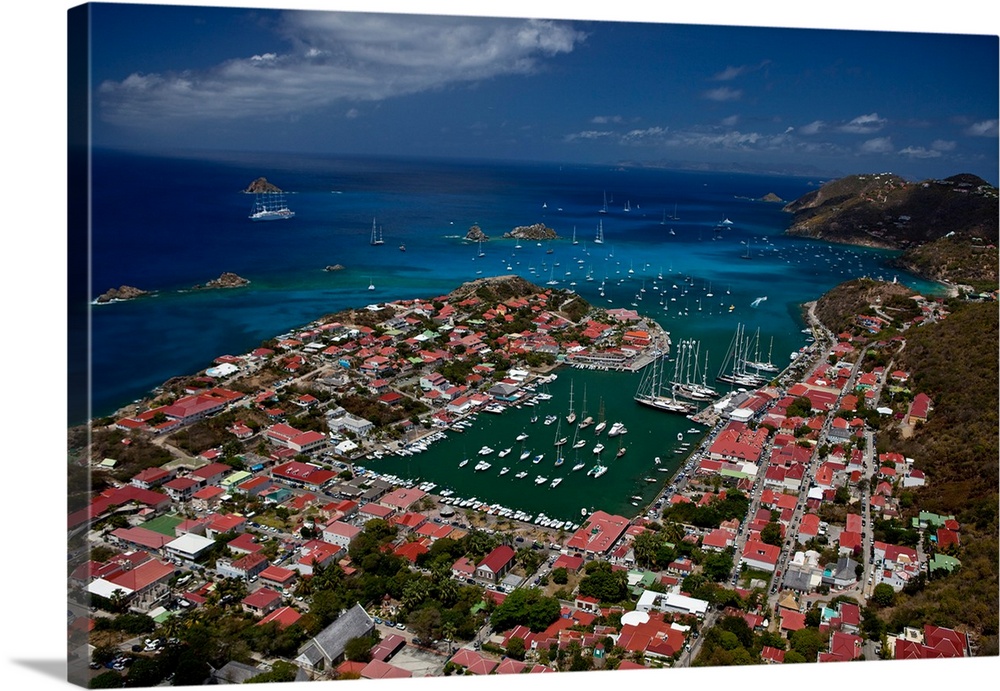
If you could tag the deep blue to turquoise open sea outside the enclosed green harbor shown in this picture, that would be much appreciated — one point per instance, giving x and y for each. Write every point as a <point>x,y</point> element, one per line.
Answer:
<point>168,223</point>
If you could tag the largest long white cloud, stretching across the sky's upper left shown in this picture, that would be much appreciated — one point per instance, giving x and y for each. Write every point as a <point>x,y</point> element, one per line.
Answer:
<point>336,57</point>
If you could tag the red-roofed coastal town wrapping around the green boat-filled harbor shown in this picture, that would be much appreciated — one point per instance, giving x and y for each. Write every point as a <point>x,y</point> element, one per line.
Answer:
<point>238,500</point>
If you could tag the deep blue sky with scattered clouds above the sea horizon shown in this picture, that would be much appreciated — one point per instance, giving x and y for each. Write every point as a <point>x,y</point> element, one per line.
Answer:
<point>829,101</point>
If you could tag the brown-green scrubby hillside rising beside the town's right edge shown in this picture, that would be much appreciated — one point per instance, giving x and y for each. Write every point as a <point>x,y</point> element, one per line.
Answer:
<point>954,361</point>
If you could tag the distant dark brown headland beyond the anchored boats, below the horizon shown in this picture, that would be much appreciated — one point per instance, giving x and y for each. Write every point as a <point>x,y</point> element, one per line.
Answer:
<point>947,229</point>
